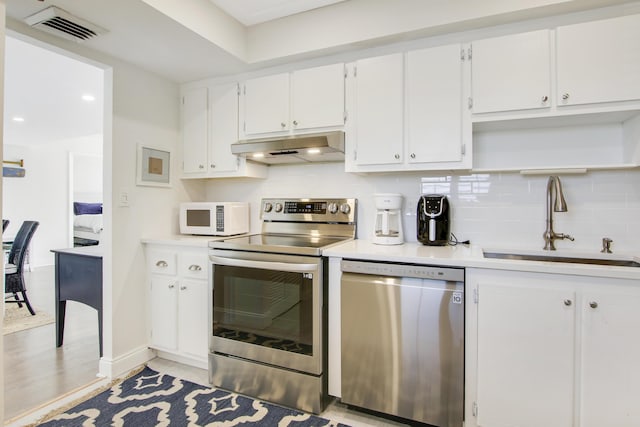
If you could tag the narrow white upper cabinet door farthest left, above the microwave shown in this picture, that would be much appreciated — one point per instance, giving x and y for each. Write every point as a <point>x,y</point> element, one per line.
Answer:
<point>195,131</point>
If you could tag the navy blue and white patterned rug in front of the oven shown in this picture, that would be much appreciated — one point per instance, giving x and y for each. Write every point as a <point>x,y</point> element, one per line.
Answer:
<point>153,399</point>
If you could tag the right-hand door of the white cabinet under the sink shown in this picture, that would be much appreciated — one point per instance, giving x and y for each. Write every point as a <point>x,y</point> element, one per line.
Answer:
<point>610,355</point>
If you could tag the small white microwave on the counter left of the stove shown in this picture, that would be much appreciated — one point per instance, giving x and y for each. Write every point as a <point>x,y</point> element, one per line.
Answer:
<point>214,218</point>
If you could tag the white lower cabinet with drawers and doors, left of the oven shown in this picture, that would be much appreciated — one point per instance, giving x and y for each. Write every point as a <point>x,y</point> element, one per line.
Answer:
<point>179,302</point>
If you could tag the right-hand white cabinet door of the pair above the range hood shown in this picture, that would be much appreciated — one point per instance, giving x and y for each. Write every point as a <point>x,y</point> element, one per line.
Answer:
<point>318,97</point>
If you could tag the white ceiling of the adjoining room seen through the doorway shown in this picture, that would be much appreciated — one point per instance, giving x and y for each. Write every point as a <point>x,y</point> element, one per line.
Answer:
<point>46,90</point>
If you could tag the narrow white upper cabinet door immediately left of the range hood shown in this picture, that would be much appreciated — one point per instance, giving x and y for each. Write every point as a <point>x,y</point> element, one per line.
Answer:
<point>224,128</point>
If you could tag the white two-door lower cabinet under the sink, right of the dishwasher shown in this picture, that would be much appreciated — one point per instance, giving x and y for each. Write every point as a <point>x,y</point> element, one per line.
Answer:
<point>551,350</point>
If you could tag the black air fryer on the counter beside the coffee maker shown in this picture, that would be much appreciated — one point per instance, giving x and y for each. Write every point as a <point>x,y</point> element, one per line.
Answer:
<point>433,220</point>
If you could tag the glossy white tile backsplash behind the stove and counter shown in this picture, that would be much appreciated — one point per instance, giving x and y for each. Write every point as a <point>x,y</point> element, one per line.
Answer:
<point>495,210</point>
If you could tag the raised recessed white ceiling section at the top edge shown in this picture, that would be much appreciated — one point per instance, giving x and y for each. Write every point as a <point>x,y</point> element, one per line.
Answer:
<point>251,12</point>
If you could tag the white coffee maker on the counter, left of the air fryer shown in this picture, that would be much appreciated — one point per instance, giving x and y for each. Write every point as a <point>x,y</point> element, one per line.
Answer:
<point>388,226</point>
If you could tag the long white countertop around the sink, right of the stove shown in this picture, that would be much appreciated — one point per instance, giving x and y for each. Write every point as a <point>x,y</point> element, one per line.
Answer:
<point>471,256</point>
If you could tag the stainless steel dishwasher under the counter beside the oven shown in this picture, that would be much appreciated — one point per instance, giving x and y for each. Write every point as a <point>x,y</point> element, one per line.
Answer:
<point>403,340</point>
